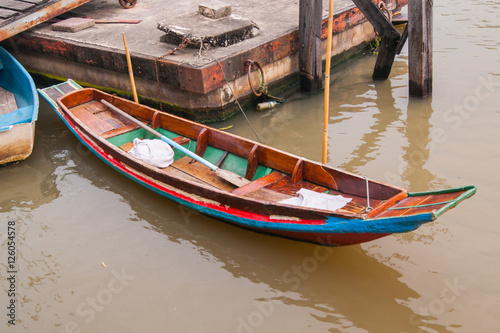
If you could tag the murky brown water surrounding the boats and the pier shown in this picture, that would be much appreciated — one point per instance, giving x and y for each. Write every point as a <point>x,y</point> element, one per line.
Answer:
<point>98,253</point>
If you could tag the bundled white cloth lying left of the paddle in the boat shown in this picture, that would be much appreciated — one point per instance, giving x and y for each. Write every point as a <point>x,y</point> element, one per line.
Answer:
<point>155,152</point>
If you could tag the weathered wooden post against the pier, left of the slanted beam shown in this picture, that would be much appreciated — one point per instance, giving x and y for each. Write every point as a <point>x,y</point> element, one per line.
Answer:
<point>310,60</point>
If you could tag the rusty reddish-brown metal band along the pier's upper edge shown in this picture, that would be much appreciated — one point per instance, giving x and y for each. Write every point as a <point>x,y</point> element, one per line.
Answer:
<point>198,80</point>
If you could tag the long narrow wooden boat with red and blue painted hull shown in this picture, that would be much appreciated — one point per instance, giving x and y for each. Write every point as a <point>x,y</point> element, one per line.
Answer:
<point>270,175</point>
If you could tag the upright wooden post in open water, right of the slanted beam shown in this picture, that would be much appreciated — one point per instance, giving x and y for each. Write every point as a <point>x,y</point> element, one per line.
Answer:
<point>420,47</point>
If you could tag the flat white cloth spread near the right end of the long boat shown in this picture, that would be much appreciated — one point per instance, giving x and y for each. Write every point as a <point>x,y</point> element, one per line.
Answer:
<point>311,199</point>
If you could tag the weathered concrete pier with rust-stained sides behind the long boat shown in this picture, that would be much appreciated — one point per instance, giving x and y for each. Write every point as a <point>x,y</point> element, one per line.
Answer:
<point>190,82</point>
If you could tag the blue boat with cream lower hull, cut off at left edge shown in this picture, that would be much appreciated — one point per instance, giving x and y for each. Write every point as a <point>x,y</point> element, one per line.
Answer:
<point>18,110</point>
